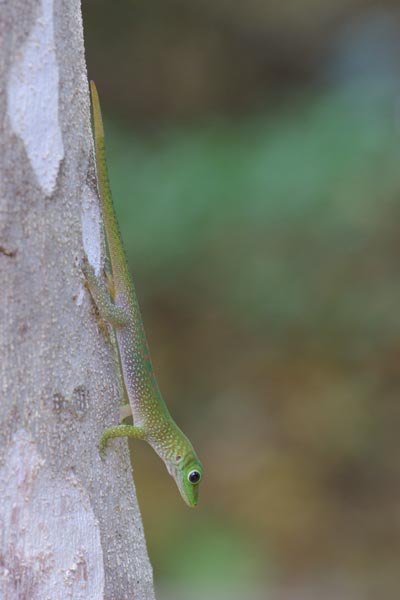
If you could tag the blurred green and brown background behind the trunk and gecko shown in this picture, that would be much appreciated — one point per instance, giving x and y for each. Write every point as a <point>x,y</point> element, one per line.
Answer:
<point>254,154</point>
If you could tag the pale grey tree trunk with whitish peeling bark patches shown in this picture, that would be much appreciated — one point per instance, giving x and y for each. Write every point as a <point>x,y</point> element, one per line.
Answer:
<point>70,526</point>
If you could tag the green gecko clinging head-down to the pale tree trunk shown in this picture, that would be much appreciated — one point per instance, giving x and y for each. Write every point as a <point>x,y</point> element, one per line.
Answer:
<point>118,305</point>
